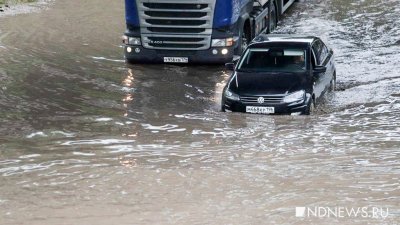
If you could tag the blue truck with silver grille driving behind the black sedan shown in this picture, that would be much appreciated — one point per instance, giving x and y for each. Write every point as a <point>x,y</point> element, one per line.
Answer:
<point>195,31</point>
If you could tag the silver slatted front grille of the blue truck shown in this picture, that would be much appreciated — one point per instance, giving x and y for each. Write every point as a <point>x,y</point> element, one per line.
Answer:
<point>176,24</point>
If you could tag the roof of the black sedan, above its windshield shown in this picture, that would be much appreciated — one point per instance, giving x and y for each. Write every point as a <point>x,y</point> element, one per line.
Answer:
<point>266,39</point>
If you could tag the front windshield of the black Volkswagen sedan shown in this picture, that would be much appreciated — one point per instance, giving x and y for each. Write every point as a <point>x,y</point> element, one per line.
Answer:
<point>273,60</point>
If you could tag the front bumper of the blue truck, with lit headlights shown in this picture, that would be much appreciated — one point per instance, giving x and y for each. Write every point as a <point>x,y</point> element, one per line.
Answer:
<point>138,54</point>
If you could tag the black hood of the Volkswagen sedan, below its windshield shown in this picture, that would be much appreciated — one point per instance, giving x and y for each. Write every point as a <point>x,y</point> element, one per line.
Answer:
<point>267,83</point>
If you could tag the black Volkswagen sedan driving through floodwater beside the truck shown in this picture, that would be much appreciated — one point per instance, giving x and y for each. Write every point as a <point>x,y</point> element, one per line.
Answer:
<point>280,74</point>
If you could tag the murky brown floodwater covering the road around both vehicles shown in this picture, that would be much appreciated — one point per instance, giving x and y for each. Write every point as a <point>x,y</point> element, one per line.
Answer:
<point>86,139</point>
